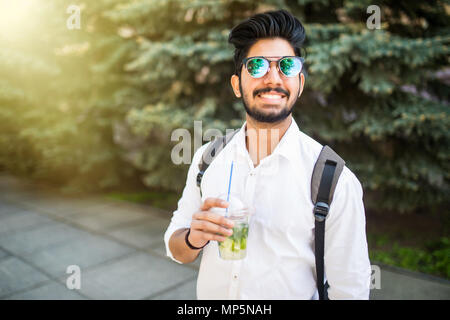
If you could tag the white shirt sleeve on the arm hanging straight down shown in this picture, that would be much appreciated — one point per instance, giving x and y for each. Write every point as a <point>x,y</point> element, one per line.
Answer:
<point>347,265</point>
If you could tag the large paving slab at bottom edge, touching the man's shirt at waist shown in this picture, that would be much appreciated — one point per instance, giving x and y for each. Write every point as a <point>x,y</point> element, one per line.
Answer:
<point>135,277</point>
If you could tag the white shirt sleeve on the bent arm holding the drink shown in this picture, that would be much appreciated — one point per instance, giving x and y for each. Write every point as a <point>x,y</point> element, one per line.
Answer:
<point>189,203</point>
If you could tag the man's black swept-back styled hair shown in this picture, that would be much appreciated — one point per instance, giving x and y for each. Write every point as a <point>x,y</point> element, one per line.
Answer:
<point>270,24</point>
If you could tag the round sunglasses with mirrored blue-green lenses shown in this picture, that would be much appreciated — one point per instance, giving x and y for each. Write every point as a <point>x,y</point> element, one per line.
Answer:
<point>258,67</point>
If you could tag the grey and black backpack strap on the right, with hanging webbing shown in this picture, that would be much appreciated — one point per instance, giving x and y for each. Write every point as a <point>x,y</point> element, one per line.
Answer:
<point>326,173</point>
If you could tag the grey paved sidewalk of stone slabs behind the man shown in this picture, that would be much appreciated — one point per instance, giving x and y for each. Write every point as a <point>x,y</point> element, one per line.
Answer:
<point>120,251</point>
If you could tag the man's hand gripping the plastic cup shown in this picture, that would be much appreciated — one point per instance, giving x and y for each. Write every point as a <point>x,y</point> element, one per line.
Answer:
<point>207,225</point>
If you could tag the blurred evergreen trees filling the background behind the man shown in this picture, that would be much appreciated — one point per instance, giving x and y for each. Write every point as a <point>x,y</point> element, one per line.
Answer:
<point>140,69</point>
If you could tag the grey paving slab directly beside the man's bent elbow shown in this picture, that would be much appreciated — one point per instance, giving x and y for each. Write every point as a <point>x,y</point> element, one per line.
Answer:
<point>142,235</point>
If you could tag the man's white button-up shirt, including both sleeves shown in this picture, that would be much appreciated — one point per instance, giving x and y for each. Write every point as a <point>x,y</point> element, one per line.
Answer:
<point>280,262</point>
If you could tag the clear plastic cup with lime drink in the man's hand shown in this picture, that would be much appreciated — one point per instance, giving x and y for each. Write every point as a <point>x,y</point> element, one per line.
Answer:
<point>235,246</point>
